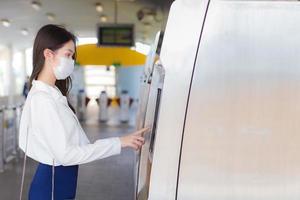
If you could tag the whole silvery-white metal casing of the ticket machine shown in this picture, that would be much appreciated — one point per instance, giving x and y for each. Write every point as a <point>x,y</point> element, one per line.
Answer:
<point>228,125</point>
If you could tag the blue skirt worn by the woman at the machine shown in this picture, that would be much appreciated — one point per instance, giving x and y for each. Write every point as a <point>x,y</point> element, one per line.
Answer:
<point>65,183</point>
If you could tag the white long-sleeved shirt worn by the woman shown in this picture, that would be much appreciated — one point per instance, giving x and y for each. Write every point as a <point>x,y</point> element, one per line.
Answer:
<point>54,131</point>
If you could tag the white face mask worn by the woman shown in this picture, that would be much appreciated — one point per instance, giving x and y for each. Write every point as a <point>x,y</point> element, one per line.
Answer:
<point>64,69</point>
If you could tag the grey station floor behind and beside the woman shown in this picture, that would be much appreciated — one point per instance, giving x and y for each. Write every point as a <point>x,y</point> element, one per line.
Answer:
<point>106,179</point>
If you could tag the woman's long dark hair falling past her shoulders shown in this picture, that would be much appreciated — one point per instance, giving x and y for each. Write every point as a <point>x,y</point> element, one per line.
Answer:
<point>51,37</point>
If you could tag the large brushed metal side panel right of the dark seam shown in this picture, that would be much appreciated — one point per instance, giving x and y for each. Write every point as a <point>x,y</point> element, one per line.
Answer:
<point>241,139</point>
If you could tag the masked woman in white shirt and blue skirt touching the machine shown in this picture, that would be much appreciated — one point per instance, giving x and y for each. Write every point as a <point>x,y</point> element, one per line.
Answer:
<point>50,132</point>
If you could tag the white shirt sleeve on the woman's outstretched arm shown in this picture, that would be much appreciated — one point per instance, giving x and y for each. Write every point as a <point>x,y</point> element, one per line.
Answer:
<point>49,127</point>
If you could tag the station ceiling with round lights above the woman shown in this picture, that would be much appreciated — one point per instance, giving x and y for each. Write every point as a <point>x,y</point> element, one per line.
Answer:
<point>79,16</point>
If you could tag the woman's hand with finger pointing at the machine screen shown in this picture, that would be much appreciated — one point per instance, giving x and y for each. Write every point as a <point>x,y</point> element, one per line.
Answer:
<point>134,140</point>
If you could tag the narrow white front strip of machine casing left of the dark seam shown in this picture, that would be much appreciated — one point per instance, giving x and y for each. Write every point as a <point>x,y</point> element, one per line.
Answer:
<point>177,56</point>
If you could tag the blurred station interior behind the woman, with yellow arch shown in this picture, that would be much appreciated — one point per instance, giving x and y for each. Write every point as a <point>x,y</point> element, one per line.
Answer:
<point>98,68</point>
